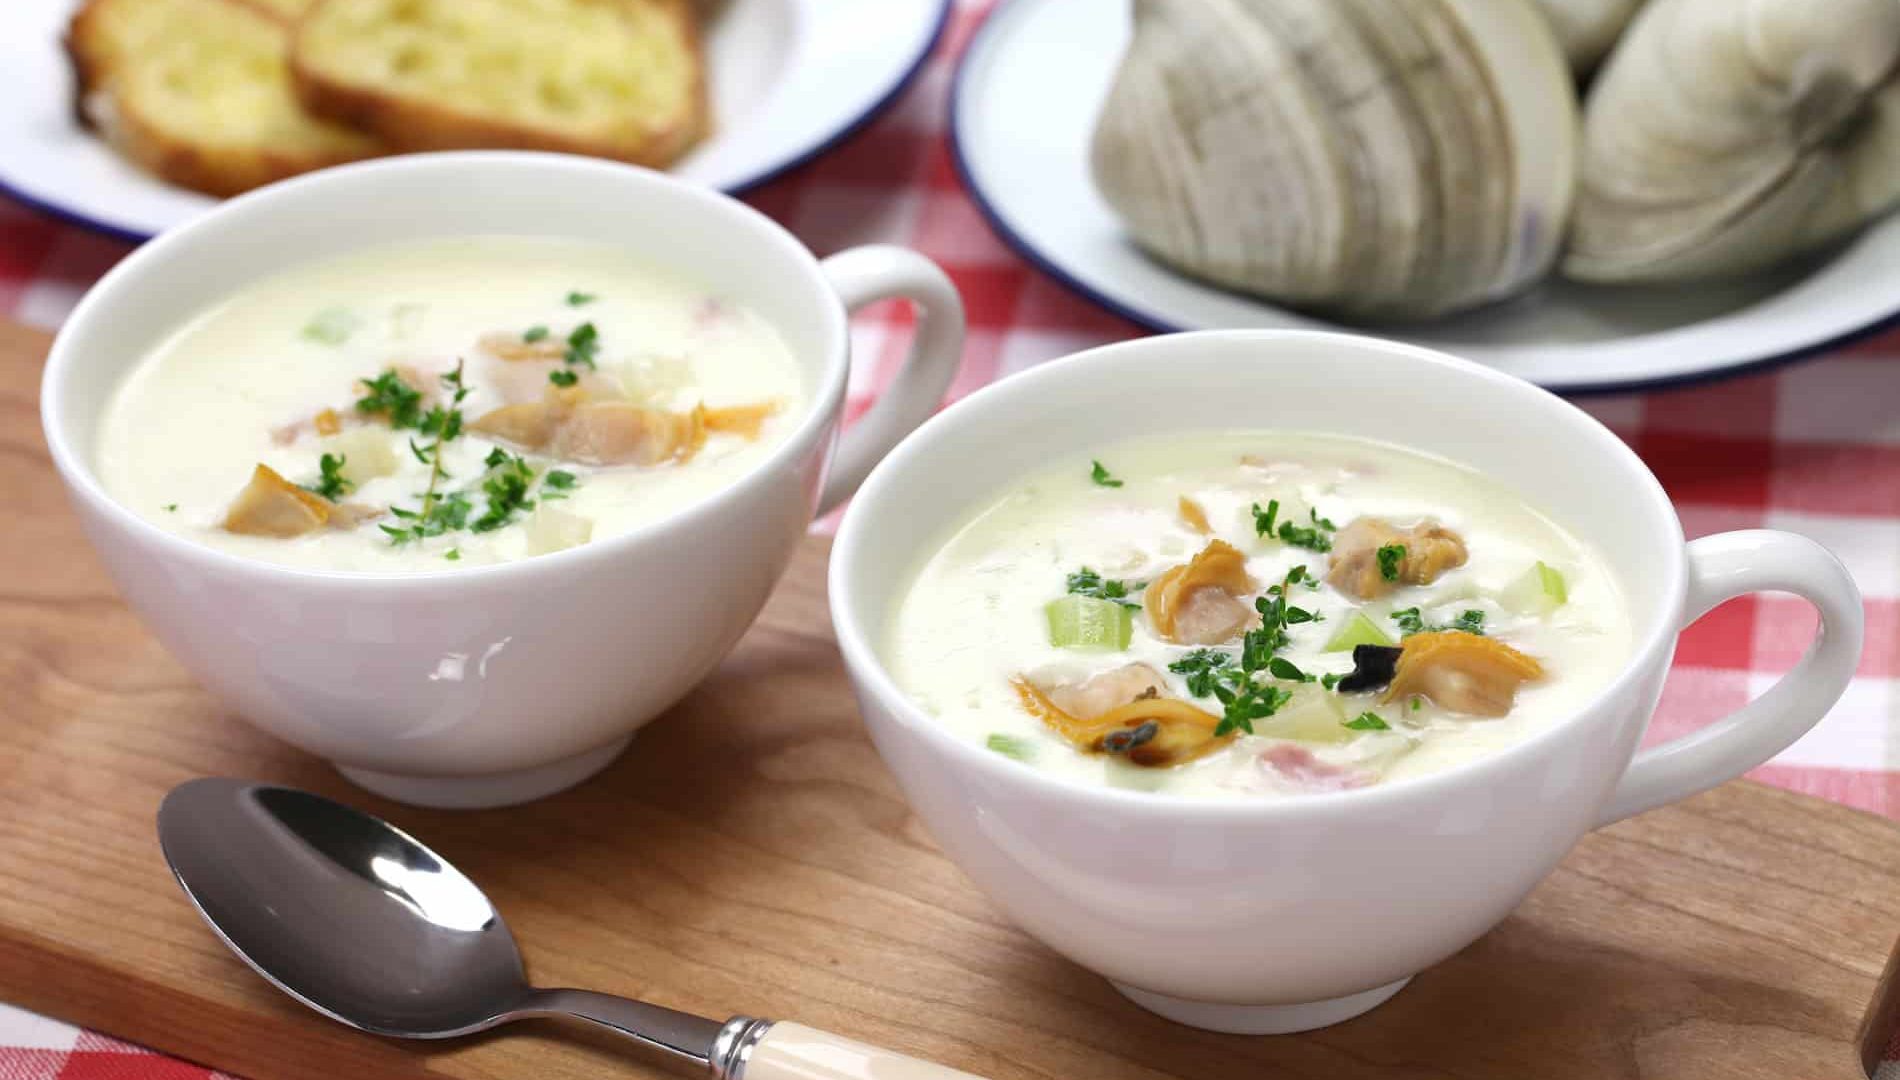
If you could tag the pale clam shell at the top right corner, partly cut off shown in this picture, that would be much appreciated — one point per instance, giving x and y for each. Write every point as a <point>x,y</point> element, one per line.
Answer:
<point>1726,136</point>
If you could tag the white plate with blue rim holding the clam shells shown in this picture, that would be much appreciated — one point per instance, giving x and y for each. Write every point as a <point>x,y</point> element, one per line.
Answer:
<point>1023,111</point>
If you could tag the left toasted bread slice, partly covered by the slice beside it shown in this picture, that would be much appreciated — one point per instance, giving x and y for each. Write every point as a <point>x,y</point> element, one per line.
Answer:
<point>199,92</point>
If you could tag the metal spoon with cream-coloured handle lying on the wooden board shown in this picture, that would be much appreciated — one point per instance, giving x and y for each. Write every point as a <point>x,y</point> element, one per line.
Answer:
<point>362,923</point>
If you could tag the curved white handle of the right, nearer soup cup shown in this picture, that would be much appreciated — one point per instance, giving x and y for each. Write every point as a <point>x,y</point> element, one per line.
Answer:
<point>1724,568</point>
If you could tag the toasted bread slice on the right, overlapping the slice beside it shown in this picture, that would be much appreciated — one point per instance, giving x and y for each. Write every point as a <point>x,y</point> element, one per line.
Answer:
<point>615,79</point>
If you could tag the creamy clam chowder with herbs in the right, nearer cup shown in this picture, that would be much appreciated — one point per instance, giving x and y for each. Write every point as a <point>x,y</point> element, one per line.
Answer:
<point>1257,615</point>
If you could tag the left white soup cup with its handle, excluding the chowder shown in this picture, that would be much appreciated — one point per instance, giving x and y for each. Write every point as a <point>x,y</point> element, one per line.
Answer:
<point>491,685</point>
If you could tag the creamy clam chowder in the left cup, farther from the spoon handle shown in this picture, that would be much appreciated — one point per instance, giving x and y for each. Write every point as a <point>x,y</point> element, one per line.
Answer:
<point>447,404</point>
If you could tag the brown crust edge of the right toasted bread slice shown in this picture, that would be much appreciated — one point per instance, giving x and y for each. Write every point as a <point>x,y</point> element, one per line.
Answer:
<point>411,123</point>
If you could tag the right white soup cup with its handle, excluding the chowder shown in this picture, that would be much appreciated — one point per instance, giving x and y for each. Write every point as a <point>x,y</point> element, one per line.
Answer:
<point>1293,914</point>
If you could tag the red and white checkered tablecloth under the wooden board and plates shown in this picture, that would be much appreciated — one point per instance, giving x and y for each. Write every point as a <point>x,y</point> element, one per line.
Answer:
<point>1812,448</point>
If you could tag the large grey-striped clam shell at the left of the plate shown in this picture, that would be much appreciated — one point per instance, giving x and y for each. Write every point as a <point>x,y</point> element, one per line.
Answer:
<point>1390,159</point>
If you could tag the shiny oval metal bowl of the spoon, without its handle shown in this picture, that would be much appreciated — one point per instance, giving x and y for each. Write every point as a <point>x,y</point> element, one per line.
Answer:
<point>345,914</point>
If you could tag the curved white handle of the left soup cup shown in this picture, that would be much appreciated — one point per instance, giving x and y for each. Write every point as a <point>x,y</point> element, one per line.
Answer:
<point>881,273</point>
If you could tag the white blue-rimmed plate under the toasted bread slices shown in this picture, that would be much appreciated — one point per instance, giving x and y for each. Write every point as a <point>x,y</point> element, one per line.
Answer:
<point>788,79</point>
